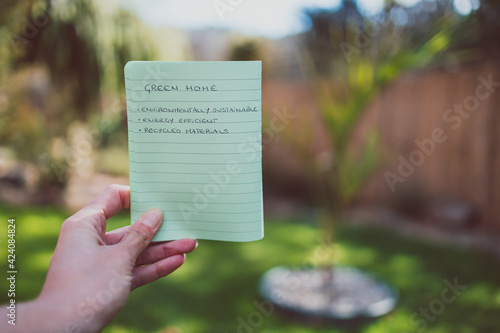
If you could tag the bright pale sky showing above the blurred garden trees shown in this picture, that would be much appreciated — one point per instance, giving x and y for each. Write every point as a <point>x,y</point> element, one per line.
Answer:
<point>268,18</point>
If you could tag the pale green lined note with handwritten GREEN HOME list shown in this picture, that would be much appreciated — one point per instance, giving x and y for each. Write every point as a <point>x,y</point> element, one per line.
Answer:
<point>195,151</point>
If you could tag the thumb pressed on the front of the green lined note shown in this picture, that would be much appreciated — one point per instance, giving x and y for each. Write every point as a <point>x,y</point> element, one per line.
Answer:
<point>140,234</point>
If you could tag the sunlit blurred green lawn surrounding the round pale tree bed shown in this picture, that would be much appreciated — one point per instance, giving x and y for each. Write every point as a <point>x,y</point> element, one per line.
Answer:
<point>216,288</point>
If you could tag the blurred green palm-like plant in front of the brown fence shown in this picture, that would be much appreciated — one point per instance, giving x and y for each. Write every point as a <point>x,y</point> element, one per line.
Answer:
<point>337,175</point>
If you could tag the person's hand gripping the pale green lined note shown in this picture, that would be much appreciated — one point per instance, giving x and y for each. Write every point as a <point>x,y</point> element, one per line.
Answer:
<point>92,272</point>
